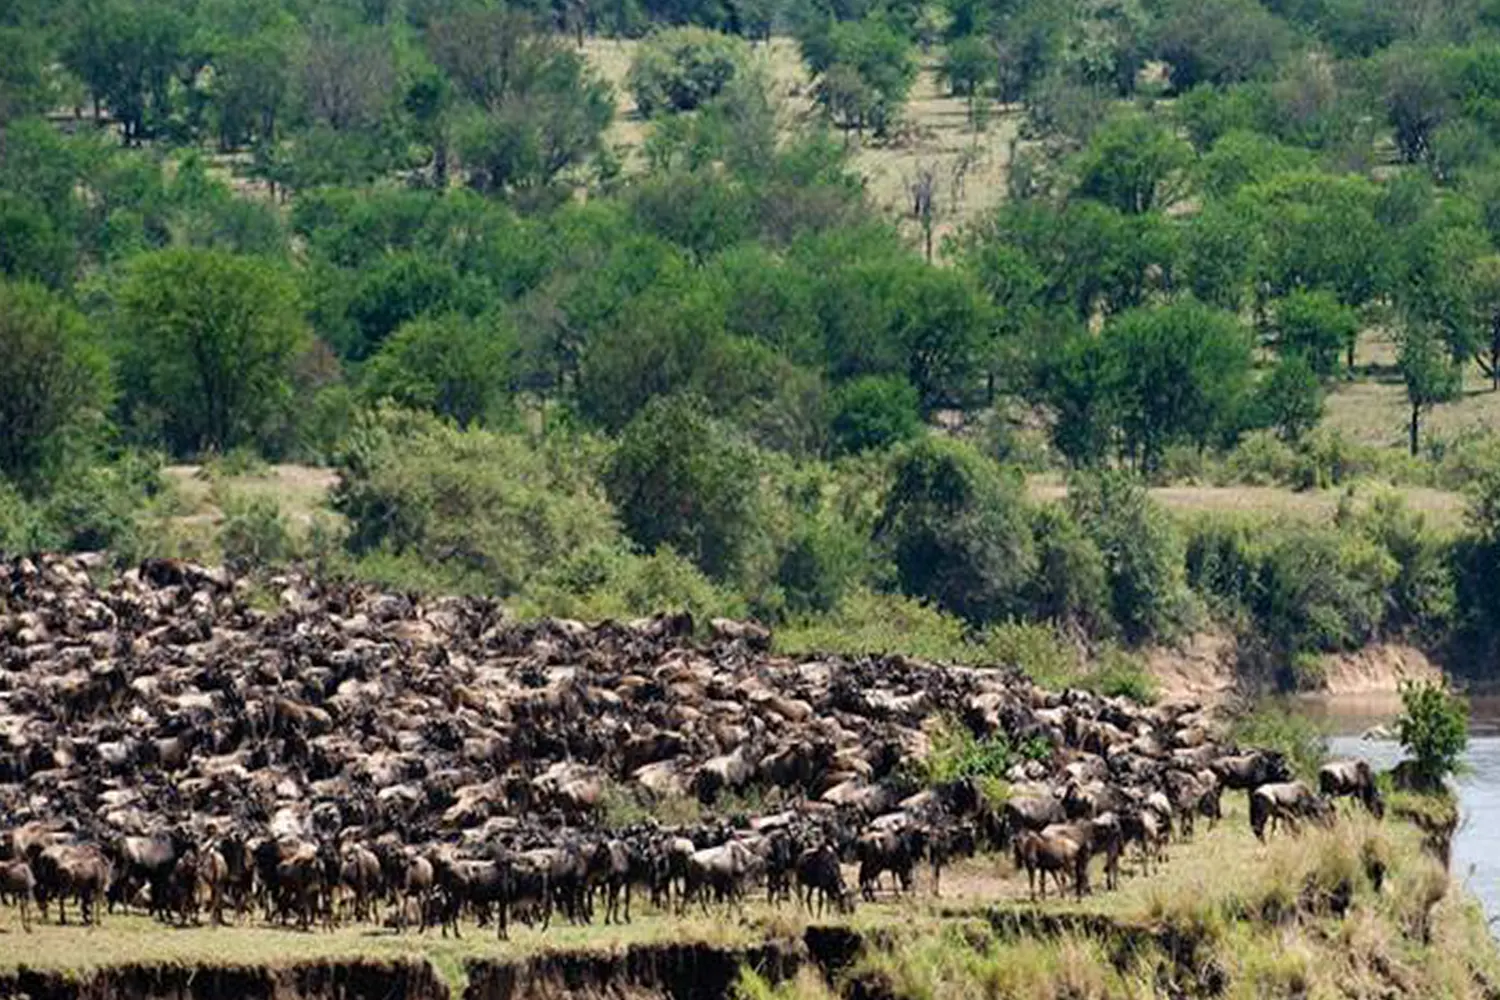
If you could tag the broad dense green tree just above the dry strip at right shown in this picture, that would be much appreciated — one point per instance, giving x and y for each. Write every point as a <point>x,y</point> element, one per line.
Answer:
<point>1183,374</point>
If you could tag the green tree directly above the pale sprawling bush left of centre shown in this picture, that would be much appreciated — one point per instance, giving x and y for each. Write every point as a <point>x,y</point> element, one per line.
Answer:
<point>454,367</point>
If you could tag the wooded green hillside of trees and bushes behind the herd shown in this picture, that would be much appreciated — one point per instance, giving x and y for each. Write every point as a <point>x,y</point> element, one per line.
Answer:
<point>592,308</point>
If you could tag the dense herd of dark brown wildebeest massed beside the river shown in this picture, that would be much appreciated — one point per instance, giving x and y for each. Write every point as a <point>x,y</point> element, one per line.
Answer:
<point>196,747</point>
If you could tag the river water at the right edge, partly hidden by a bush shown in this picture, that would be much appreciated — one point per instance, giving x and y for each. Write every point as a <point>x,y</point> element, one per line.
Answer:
<point>1477,849</point>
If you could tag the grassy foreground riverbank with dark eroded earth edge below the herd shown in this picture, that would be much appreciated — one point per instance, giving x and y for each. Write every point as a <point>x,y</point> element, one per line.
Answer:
<point>1358,911</point>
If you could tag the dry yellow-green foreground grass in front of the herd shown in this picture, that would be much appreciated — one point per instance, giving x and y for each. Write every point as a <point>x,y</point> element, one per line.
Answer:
<point>1358,905</point>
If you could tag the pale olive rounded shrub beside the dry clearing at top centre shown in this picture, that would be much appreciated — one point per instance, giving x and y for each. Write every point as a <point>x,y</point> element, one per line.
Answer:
<point>680,70</point>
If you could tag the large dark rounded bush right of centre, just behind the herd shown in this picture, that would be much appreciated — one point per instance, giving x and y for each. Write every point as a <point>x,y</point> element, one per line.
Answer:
<point>958,530</point>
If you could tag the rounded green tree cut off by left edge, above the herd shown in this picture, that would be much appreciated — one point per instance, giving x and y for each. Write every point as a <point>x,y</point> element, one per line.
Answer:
<point>56,379</point>
